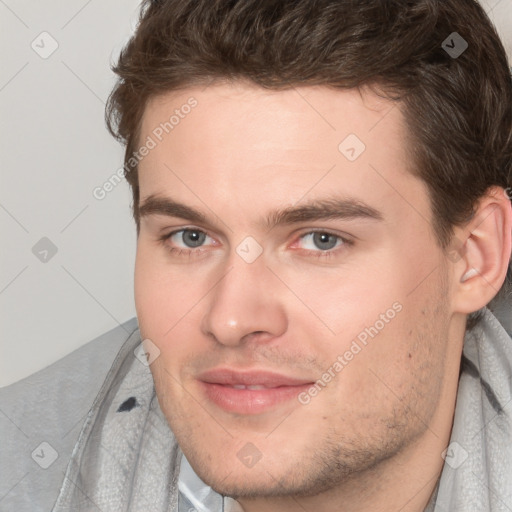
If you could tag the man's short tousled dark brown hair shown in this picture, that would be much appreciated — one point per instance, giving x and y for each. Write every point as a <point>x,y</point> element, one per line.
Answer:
<point>457,108</point>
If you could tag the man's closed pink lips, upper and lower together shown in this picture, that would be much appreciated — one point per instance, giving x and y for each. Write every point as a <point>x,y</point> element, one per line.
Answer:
<point>276,389</point>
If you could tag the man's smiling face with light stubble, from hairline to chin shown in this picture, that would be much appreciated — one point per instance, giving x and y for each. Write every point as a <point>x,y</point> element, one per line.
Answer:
<point>308,250</point>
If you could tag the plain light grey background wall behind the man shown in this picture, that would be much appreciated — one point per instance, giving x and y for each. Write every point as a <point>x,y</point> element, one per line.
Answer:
<point>55,151</point>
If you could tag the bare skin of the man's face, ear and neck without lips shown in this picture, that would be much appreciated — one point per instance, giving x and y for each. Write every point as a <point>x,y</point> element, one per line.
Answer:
<point>372,439</point>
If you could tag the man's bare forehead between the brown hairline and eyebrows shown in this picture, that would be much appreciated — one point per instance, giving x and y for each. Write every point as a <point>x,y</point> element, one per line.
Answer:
<point>257,148</point>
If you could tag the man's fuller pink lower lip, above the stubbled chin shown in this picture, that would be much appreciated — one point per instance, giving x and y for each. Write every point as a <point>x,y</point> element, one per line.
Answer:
<point>250,401</point>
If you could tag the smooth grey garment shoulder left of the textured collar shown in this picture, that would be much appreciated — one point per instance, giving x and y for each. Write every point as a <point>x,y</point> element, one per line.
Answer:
<point>41,417</point>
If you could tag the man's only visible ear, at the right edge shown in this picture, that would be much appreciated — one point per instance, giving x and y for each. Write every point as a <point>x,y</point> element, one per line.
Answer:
<point>483,252</point>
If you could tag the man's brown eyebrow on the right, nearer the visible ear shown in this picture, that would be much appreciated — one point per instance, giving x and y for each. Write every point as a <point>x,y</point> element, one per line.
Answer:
<point>326,209</point>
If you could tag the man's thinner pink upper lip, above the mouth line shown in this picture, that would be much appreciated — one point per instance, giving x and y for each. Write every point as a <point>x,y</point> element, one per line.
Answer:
<point>231,377</point>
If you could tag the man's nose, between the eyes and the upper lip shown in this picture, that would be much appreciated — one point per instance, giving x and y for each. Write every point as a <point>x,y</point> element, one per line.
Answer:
<point>245,304</point>
